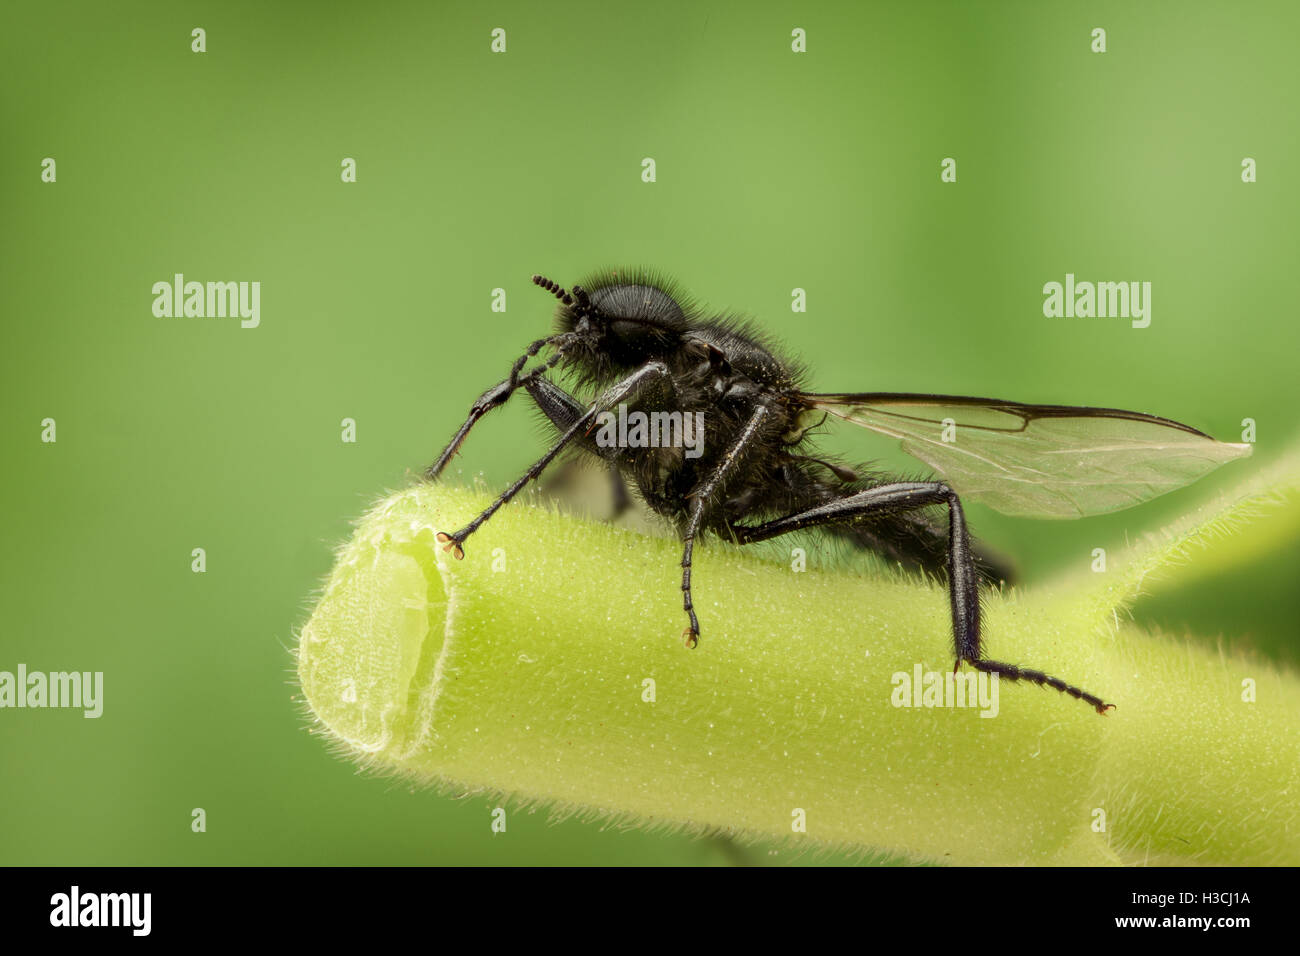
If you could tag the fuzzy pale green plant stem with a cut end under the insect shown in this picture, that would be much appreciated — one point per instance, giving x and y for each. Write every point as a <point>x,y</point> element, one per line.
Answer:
<point>523,671</point>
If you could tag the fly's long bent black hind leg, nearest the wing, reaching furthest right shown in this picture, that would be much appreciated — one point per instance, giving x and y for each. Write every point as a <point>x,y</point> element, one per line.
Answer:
<point>964,579</point>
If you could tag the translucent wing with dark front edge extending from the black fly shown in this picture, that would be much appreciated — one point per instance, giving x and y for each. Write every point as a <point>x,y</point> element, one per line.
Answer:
<point>1039,461</point>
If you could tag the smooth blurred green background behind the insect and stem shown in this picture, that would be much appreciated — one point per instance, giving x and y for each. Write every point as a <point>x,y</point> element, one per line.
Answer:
<point>475,170</point>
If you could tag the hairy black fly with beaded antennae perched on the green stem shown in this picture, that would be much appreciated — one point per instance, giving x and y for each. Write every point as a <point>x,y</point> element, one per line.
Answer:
<point>632,340</point>
